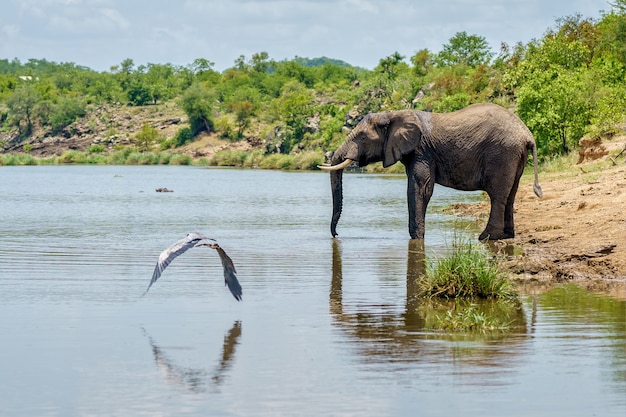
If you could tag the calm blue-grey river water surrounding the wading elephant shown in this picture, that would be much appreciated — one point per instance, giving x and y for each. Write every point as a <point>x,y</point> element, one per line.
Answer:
<point>326,327</point>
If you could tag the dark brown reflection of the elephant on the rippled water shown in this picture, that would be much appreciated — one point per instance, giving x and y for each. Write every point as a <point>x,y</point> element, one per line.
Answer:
<point>383,333</point>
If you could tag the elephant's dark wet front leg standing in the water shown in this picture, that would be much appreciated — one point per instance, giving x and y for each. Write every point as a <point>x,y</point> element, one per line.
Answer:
<point>420,189</point>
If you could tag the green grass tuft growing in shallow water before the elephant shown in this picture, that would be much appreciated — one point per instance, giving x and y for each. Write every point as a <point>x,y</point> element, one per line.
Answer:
<point>468,271</point>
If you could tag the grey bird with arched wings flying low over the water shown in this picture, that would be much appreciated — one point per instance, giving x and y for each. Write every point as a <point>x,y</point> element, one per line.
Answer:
<point>193,240</point>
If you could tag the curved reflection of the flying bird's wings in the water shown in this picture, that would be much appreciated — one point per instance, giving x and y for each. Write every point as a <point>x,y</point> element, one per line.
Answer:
<point>197,379</point>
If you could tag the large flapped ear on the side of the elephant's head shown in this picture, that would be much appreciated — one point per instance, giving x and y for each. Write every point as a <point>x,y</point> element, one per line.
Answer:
<point>403,136</point>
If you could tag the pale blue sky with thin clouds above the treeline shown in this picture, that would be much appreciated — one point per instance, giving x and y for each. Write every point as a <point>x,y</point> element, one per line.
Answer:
<point>100,34</point>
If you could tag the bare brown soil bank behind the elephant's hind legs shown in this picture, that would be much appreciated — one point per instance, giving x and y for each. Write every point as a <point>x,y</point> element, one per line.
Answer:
<point>577,232</point>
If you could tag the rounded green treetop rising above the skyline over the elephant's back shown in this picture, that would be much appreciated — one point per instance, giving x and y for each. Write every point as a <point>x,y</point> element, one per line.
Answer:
<point>464,49</point>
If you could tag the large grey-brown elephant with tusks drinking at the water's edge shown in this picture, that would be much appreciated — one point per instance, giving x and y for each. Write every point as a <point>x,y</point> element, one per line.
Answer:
<point>480,147</point>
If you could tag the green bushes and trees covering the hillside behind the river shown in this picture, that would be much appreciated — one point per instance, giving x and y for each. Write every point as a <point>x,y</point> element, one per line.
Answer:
<point>569,83</point>
